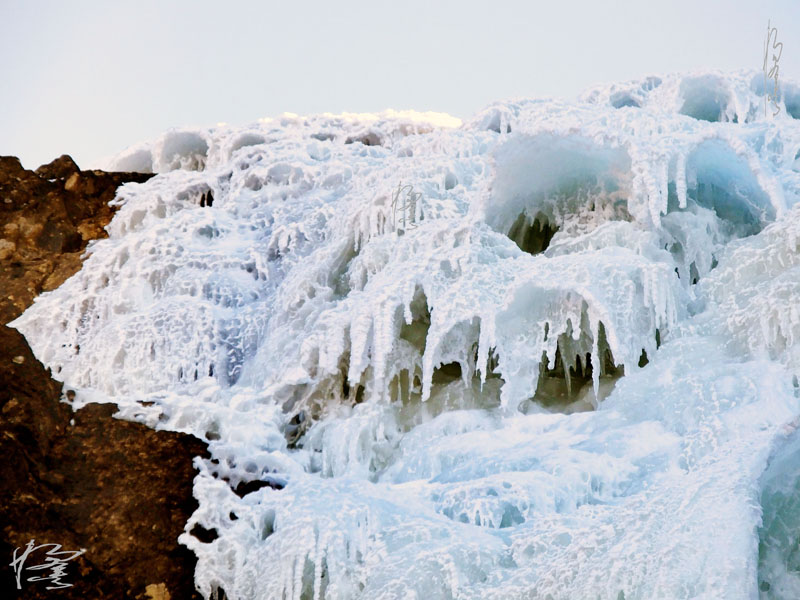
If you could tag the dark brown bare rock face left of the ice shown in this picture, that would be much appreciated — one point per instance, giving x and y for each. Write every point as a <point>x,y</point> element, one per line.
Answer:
<point>80,479</point>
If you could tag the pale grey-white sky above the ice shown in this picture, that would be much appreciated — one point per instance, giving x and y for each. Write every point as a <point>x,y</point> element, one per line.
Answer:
<point>89,78</point>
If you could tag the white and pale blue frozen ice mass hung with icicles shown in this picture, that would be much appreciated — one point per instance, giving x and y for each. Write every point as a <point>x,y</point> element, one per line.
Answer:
<point>568,371</point>
